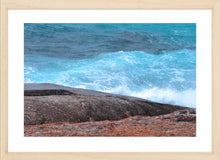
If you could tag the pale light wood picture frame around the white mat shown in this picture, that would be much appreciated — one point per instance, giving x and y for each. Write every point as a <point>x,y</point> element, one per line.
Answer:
<point>214,5</point>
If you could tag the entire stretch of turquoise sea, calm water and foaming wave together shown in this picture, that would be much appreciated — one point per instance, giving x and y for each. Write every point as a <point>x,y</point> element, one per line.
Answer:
<point>152,61</point>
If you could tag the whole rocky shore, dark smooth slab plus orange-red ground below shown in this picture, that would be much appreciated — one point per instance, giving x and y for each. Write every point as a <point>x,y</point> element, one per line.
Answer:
<point>54,110</point>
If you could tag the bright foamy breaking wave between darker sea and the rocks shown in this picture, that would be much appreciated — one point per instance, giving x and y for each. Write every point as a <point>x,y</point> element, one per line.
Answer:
<point>167,78</point>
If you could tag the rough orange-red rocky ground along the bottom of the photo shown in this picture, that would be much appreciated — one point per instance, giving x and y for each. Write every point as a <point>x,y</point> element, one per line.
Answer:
<point>179,123</point>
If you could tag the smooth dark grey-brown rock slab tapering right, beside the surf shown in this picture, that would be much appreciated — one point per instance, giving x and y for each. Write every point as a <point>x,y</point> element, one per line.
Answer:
<point>50,103</point>
